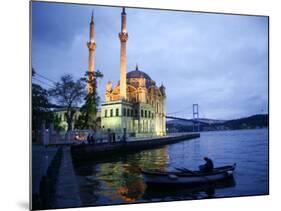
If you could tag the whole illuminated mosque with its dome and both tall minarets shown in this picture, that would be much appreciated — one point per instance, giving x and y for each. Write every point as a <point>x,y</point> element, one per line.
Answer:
<point>136,102</point>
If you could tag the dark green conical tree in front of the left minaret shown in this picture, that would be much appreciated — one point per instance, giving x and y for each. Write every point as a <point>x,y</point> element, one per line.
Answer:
<point>88,117</point>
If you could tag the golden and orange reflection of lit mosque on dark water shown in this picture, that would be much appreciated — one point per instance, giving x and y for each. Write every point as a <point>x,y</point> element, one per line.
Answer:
<point>118,179</point>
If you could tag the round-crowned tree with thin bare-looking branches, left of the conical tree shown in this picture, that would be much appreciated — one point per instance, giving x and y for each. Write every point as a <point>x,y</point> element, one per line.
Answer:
<point>68,93</point>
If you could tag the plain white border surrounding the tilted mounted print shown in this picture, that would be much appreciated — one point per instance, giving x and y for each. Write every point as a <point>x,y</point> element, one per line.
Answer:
<point>14,17</point>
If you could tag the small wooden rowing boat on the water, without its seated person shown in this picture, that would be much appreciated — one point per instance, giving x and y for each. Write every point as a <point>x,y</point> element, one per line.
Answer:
<point>184,176</point>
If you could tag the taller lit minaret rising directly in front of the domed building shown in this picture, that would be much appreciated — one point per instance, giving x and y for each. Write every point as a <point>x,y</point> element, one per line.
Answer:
<point>123,36</point>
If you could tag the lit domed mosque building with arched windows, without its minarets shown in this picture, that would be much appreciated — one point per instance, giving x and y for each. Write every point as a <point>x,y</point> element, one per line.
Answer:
<point>142,113</point>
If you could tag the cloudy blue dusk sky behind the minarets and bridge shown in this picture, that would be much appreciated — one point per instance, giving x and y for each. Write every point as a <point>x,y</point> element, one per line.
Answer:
<point>218,61</point>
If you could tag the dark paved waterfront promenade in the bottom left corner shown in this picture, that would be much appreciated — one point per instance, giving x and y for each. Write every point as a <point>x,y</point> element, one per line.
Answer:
<point>53,178</point>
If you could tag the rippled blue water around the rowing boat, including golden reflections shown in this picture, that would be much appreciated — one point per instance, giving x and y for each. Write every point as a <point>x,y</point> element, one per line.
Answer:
<point>117,179</point>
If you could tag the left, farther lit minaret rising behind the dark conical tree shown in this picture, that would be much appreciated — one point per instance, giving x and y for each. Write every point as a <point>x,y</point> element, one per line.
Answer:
<point>91,62</point>
